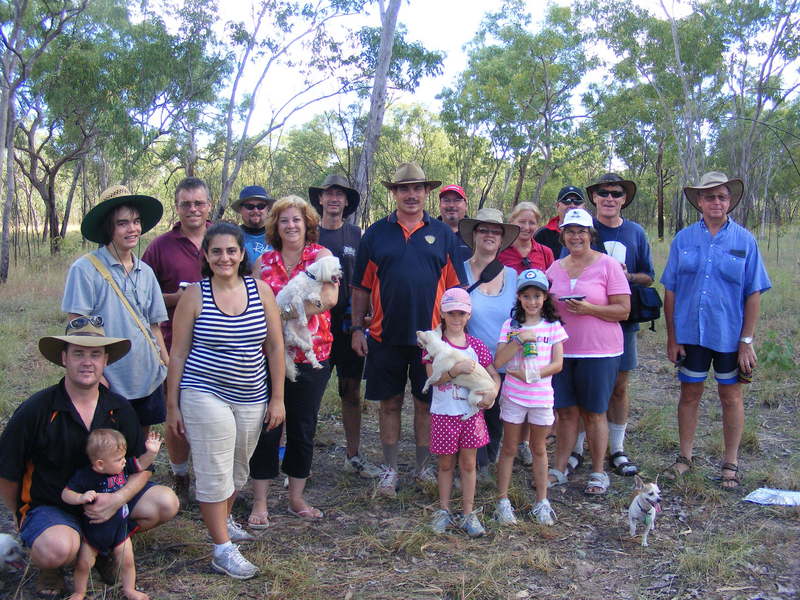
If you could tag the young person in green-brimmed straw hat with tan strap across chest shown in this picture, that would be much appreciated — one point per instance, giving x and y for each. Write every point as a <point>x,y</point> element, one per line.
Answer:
<point>115,284</point>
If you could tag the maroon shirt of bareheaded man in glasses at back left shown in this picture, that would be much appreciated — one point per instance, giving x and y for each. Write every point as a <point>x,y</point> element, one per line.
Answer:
<point>174,258</point>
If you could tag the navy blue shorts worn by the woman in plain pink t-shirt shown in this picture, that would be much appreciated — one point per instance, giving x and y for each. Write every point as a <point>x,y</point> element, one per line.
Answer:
<point>586,383</point>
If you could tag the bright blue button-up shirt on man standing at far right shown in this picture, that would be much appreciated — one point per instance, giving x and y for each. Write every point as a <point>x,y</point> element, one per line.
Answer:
<point>711,278</point>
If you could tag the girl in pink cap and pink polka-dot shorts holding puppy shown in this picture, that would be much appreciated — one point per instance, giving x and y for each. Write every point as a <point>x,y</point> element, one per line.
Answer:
<point>450,435</point>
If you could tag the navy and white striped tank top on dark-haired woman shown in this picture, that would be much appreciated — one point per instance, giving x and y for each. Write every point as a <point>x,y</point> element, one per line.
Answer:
<point>226,358</point>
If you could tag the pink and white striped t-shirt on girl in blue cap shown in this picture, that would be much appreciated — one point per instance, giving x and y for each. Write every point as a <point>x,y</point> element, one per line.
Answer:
<point>538,393</point>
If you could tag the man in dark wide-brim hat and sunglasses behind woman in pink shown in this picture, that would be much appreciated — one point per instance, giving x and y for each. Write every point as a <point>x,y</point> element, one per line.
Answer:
<point>626,241</point>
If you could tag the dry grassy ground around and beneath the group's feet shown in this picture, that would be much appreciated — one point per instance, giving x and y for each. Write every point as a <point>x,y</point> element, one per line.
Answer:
<point>707,544</point>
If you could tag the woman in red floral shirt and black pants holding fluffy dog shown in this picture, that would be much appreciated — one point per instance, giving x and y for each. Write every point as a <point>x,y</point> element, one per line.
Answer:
<point>292,231</point>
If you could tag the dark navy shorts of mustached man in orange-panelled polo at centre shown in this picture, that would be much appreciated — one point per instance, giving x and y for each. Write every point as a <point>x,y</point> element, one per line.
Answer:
<point>389,367</point>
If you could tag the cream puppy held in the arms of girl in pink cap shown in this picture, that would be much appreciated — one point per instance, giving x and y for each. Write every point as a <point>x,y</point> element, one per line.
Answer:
<point>444,358</point>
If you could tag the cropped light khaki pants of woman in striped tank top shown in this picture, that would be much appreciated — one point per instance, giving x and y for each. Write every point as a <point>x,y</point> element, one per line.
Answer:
<point>222,437</point>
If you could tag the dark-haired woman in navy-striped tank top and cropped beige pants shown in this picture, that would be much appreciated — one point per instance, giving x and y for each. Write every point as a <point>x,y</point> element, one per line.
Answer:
<point>217,394</point>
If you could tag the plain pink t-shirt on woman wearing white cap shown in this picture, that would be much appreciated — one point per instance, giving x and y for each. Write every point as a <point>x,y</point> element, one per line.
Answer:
<point>590,337</point>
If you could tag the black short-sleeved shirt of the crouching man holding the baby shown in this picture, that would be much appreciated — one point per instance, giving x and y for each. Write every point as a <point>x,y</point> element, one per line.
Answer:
<point>44,443</point>
